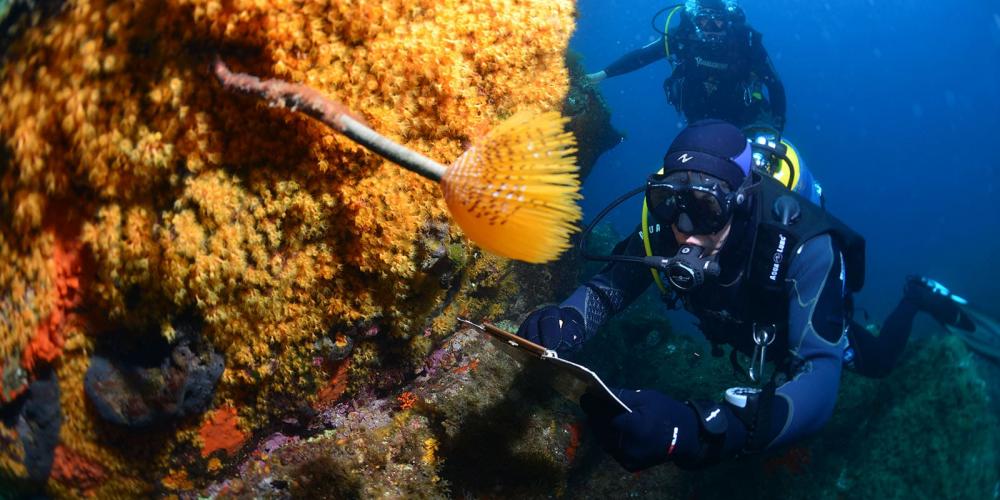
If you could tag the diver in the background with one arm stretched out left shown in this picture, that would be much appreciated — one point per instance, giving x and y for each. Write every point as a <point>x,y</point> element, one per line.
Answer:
<point>720,67</point>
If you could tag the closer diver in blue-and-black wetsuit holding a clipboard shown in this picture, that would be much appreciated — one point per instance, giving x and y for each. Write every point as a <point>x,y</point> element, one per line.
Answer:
<point>765,271</point>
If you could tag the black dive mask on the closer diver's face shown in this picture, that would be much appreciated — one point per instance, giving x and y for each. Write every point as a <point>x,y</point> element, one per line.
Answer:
<point>694,209</point>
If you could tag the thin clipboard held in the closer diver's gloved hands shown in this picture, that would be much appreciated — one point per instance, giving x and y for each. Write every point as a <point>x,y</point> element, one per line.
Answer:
<point>570,379</point>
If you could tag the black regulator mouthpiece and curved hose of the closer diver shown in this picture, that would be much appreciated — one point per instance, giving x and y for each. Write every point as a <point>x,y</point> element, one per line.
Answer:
<point>685,271</point>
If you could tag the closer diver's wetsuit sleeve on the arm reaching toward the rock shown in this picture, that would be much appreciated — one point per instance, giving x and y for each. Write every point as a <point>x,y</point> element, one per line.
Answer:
<point>613,288</point>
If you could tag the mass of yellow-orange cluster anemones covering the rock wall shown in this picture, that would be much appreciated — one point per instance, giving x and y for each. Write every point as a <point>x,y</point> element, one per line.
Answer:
<point>271,228</point>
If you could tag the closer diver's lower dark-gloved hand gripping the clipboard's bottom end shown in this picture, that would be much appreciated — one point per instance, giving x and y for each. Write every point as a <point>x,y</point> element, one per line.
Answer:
<point>659,428</point>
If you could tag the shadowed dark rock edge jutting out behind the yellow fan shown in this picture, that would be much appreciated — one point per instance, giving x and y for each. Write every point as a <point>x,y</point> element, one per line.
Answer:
<point>590,118</point>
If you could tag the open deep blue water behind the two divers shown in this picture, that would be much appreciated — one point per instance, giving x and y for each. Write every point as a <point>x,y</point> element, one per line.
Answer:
<point>894,104</point>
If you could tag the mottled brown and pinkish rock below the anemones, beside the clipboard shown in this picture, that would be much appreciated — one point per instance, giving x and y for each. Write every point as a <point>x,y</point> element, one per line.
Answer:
<point>471,423</point>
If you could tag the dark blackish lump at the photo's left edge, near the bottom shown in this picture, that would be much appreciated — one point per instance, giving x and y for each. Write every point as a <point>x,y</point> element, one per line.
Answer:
<point>37,417</point>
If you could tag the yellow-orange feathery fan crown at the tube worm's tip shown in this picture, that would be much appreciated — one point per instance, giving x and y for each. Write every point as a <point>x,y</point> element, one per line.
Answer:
<point>515,192</point>
